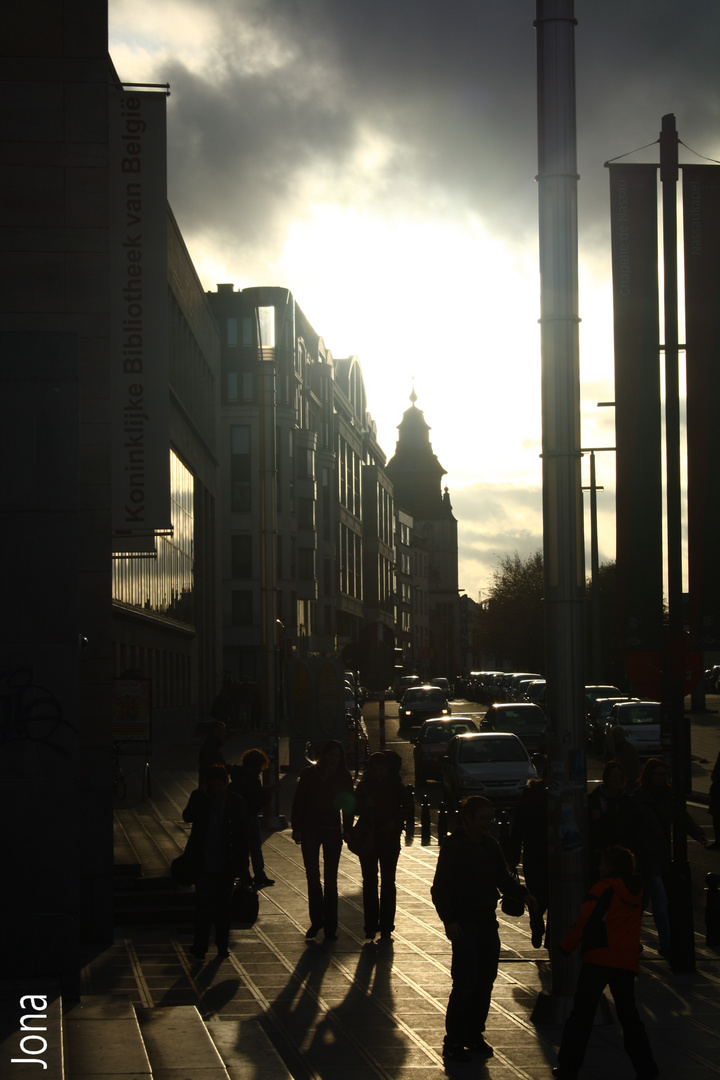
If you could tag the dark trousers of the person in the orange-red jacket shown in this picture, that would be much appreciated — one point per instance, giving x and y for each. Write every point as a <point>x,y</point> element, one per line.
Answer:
<point>591,984</point>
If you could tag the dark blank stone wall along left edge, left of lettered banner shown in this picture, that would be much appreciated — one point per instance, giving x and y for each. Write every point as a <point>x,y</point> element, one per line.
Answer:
<point>56,763</point>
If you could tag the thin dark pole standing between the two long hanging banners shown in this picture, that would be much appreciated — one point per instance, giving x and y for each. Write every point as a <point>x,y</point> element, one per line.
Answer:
<point>681,890</point>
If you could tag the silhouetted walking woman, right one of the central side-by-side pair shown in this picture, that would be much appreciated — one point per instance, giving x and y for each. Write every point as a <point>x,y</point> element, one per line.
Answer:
<point>385,806</point>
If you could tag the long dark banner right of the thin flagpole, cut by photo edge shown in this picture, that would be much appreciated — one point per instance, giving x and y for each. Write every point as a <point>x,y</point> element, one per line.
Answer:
<point>701,211</point>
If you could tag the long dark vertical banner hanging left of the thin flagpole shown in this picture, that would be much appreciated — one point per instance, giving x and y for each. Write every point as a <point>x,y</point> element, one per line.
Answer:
<point>640,491</point>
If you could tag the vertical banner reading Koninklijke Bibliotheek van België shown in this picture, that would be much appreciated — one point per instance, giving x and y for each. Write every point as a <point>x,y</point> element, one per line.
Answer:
<point>139,317</point>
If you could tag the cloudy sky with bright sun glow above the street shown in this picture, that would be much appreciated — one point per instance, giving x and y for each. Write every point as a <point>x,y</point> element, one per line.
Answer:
<point>378,158</point>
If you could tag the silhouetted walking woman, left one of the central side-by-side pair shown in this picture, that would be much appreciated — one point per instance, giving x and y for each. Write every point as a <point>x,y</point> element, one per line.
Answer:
<point>322,815</point>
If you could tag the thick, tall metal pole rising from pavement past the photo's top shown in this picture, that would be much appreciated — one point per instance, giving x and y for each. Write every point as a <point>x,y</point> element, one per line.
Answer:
<point>563,506</point>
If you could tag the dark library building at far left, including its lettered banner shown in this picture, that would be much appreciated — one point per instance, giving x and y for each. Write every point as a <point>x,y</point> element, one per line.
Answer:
<point>94,274</point>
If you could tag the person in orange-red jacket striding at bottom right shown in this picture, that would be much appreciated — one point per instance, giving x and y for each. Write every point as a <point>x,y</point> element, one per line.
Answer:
<point>608,933</point>
